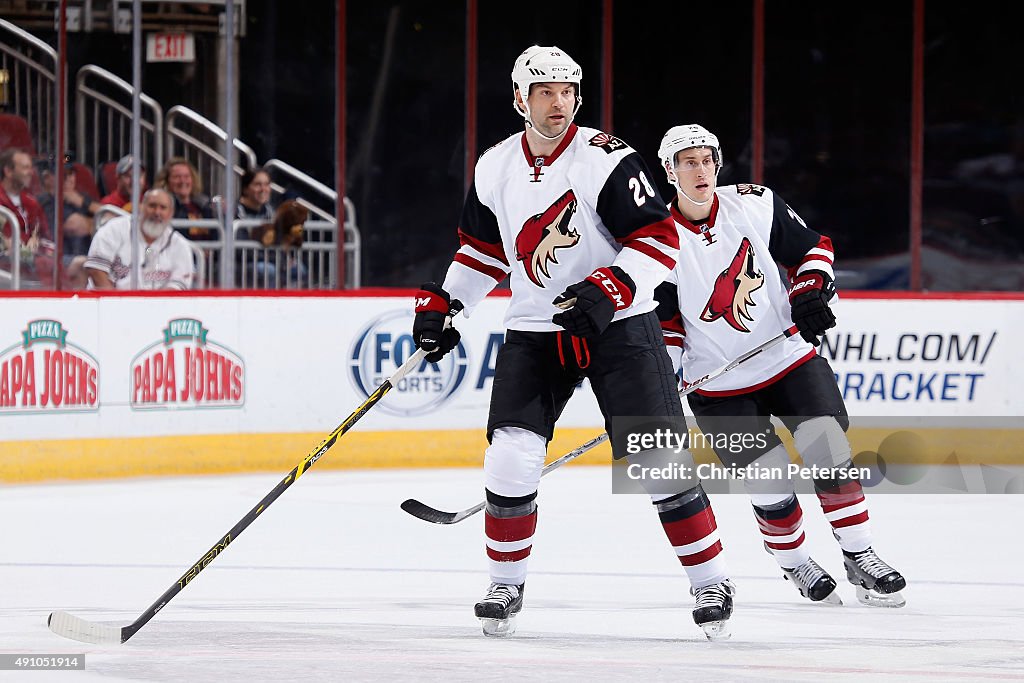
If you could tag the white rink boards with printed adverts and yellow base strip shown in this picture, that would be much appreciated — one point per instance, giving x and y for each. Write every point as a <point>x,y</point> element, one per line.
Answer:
<point>217,382</point>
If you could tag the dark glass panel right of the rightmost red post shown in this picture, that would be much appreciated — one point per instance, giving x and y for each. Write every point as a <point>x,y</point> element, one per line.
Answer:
<point>973,223</point>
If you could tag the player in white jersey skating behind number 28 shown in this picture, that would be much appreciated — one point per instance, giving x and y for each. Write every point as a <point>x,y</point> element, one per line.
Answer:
<point>726,297</point>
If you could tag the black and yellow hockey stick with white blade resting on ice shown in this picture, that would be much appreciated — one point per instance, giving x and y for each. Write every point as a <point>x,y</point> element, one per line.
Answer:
<point>76,628</point>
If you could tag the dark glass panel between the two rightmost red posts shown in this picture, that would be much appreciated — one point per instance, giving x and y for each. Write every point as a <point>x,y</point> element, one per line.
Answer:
<point>838,126</point>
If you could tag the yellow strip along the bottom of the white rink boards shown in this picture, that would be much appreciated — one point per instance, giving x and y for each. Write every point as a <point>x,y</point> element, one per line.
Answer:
<point>224,454</point>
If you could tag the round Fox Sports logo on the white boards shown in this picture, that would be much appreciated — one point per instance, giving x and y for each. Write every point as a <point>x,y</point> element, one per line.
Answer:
<point>383,347</point>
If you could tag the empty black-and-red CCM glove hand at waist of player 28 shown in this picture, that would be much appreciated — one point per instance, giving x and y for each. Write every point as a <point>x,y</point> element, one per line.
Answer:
<point>590,306</point>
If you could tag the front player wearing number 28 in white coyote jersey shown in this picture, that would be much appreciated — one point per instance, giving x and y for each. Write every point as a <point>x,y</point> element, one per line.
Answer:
<point>570,215</point>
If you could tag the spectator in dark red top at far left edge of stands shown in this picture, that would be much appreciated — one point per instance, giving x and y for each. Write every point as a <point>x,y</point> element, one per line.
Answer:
<point>37,249</point>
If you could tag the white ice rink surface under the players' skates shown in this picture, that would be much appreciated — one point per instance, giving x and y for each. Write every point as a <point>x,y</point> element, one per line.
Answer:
<point>334,582</point>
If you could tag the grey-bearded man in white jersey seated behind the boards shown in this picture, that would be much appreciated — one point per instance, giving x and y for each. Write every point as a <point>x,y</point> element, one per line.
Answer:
<point>167,257</point>
